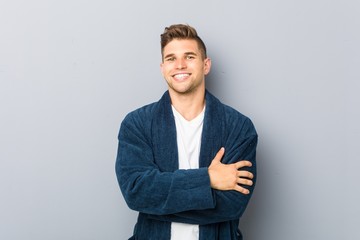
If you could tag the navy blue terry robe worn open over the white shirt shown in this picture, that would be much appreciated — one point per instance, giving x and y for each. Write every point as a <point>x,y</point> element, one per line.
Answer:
<point>151,183</point>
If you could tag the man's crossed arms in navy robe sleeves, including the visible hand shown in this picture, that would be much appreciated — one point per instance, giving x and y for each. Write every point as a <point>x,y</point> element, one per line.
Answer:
<point>217,193</point>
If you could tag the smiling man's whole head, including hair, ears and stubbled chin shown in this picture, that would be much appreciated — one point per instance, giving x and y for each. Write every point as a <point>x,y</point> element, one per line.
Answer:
<point>184,62</point>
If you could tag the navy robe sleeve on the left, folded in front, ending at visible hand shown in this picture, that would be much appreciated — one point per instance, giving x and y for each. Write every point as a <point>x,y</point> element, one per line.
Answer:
<point>148,190</point>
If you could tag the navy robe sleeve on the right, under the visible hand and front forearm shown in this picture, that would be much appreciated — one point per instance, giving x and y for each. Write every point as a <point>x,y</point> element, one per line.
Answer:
<point>229,205</point>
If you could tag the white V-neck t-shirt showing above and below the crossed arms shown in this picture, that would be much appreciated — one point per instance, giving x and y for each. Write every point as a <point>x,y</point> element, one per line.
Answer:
<point>188,142</point>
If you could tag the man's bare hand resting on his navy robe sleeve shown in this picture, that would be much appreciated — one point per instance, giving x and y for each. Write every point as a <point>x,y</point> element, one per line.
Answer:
<point>228,176</point>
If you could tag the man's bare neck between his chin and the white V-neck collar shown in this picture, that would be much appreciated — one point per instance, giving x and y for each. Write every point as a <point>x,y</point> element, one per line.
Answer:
<point>188,105</point>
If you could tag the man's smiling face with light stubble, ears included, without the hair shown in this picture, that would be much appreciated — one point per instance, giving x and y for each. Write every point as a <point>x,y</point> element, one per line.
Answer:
<point>183,66</point>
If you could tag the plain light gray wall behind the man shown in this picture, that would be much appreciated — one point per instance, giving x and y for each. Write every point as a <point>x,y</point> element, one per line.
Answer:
<point>70,70</point>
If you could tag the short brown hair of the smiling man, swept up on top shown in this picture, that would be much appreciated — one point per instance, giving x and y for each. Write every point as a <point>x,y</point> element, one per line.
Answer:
<point>181,31</point>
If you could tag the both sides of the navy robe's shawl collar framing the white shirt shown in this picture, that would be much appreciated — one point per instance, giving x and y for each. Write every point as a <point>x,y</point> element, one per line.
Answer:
<point>164,133</point>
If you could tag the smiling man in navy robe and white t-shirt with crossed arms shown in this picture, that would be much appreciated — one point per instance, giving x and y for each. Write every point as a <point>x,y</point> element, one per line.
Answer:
<point>187,162</point>
